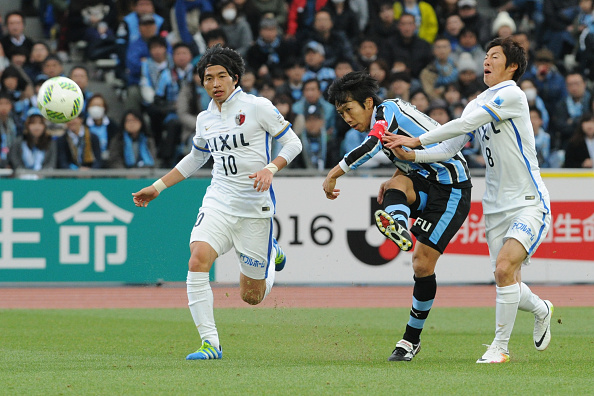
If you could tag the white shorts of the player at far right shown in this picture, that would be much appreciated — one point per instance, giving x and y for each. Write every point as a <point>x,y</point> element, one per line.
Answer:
<point>528,225</point>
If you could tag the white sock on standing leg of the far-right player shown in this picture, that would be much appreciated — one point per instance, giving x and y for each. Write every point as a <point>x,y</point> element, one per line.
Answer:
<point>506,308</point>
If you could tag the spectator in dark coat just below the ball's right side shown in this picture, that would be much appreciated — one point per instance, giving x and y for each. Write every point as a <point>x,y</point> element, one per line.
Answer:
<point>78,148</point>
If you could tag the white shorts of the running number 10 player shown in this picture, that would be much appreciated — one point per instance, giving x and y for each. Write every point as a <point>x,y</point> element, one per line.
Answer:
<point>251,238</point>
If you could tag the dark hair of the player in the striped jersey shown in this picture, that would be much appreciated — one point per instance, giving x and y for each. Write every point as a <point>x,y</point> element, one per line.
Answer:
<point>357,86</point>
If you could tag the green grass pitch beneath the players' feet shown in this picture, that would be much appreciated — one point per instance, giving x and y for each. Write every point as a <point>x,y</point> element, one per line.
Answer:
<point>286,351</point>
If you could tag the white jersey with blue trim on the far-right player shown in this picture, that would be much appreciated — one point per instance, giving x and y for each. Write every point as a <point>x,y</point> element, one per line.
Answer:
<point>507,143</point>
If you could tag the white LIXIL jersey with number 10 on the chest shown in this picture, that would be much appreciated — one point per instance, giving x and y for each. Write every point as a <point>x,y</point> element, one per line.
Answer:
<point>239,138</point>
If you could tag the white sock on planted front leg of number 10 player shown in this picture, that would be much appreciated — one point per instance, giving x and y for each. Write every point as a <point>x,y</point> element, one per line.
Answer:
<point>200,301</point>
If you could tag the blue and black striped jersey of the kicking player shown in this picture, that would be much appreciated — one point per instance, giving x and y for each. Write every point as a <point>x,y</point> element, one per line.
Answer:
<point>403,118</point>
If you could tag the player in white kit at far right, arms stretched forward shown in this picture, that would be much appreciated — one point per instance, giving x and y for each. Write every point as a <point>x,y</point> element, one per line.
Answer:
<point>516,202</point>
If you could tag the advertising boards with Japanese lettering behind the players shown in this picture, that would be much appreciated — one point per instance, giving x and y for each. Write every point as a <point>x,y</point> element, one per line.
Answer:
<point>88,230</point>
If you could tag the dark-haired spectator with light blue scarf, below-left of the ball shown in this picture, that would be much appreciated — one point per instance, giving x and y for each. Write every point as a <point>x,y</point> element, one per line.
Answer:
<point>35,149</point>
